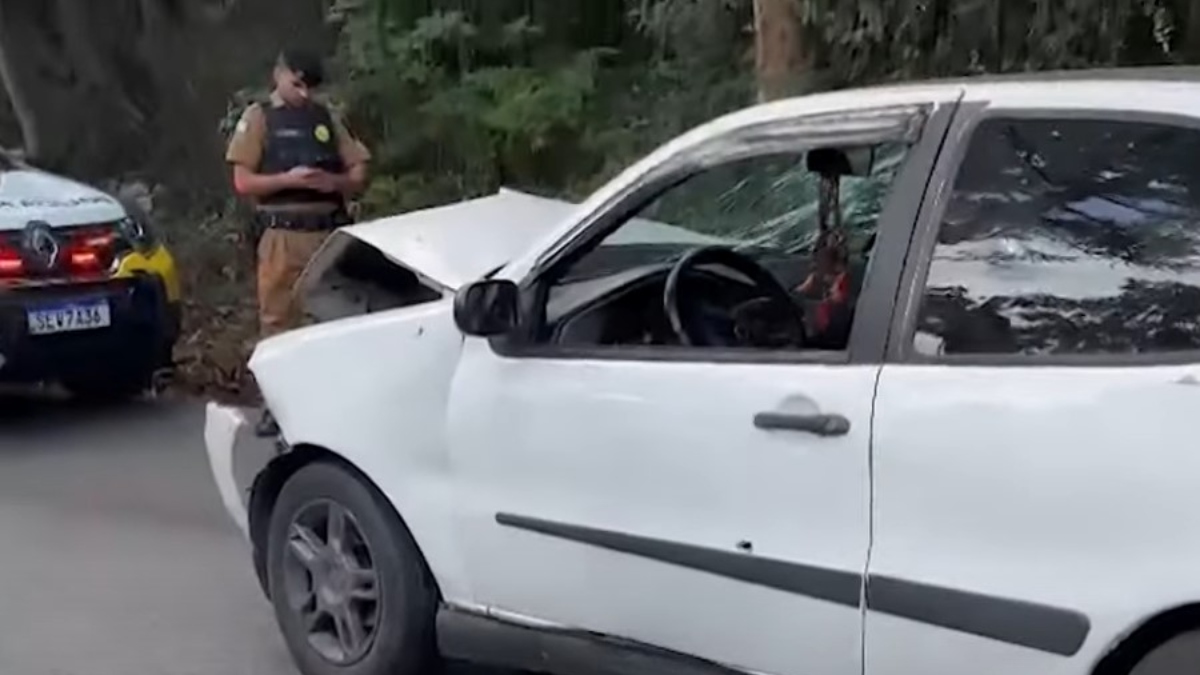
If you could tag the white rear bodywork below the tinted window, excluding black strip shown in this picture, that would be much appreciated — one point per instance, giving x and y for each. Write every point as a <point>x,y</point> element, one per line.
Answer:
<point>1061,486</point>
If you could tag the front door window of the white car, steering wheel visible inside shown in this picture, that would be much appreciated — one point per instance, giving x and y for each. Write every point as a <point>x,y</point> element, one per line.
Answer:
<point>767,208</point>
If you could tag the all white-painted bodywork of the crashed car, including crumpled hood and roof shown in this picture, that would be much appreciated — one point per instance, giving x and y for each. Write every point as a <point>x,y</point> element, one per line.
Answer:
<point>1067,487</point>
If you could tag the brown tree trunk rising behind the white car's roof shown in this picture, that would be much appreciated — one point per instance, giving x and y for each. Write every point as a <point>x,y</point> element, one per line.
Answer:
<point>781,56</point>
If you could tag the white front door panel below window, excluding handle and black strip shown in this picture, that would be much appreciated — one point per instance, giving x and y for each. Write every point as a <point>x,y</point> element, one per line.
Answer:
<point>646,456</point>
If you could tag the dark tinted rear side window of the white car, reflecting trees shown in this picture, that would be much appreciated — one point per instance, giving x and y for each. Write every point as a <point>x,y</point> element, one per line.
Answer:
<point>1069,237</point>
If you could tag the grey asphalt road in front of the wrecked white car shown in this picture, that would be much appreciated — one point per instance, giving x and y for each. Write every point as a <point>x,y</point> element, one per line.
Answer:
<point>116,554</point>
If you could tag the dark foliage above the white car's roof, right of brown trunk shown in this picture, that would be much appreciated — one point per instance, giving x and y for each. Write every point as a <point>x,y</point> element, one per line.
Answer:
<point>873,40</point>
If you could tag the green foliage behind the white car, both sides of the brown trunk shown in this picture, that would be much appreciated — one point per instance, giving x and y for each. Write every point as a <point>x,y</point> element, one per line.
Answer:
<point>458,98</point>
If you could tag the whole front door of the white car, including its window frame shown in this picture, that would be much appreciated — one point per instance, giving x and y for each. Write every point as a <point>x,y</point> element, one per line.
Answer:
<point>682,497</point>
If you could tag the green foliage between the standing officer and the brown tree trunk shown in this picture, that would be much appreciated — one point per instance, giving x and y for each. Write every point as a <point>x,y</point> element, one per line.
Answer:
<point>458,99</point>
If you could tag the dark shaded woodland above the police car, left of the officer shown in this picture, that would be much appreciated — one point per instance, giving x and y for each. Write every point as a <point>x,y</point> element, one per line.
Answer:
<point>105,89</point>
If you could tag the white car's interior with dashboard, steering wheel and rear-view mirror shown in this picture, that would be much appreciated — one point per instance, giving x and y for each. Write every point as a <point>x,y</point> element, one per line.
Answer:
<point>717,296</point>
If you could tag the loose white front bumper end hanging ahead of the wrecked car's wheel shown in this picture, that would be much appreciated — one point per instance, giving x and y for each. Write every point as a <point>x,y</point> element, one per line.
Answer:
<point>237,456</point>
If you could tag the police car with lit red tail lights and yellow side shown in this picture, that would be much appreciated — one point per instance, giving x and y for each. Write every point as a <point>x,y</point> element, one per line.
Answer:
<point>89,297</point>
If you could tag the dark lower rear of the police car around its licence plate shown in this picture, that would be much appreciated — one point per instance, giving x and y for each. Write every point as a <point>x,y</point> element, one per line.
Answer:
<point>143,330</point>
